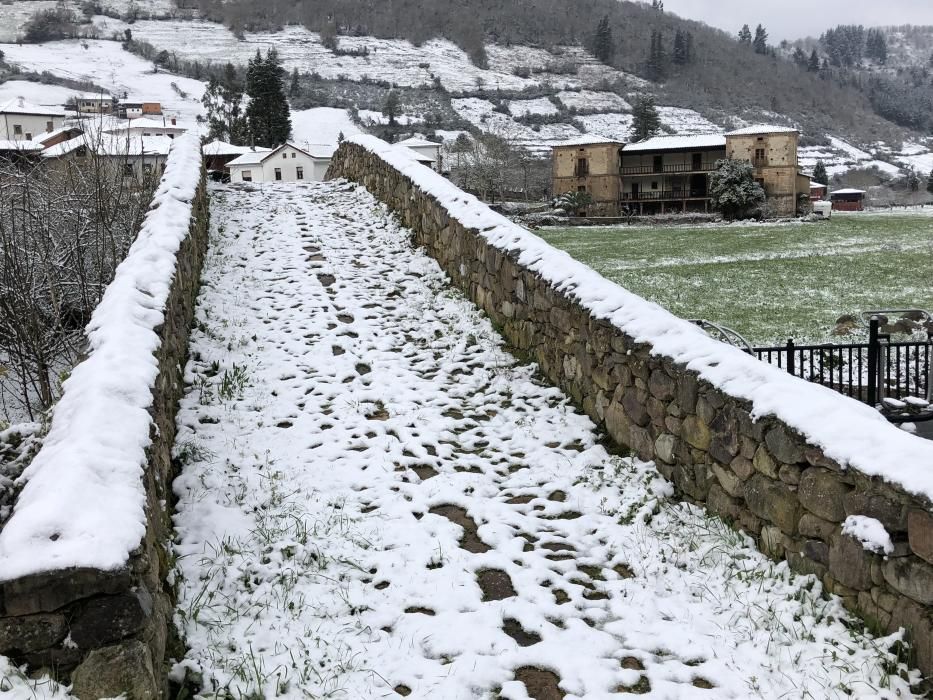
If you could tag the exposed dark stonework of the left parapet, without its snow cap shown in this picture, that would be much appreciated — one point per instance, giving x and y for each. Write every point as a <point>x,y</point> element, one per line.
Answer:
<point>107,631</point>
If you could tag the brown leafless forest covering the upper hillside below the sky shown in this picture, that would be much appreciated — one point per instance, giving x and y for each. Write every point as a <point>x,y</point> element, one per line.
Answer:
<point>721,76</point>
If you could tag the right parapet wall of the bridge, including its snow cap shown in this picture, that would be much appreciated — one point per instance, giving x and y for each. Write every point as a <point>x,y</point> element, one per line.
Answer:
<point>784,460</point>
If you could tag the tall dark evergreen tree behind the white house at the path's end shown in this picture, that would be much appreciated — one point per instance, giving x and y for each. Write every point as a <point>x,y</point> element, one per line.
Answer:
<point>268,113</point>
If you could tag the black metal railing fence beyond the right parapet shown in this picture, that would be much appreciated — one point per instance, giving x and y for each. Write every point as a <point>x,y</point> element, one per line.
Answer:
<point>869,372</point>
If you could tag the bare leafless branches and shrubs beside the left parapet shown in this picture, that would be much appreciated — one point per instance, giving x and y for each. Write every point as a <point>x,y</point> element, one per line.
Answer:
<point>64,227</point>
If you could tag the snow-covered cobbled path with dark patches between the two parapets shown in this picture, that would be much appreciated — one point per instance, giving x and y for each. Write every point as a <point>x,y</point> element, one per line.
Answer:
<point>377,500</point>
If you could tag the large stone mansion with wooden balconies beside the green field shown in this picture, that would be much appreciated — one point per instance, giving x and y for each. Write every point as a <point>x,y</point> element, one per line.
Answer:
<point>668,174</point>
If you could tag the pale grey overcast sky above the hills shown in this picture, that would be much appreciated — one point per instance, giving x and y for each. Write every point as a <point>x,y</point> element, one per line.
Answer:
<point>795,19</point>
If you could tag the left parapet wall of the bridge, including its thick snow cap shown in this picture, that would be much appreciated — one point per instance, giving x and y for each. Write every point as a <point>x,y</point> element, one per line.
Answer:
<point>82,558</point>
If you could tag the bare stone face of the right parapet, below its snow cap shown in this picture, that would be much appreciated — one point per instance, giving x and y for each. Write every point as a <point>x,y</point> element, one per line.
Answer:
<point>760,475</point>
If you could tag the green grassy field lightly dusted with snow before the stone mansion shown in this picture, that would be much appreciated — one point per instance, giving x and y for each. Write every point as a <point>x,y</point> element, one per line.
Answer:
<point>769,282</point>
